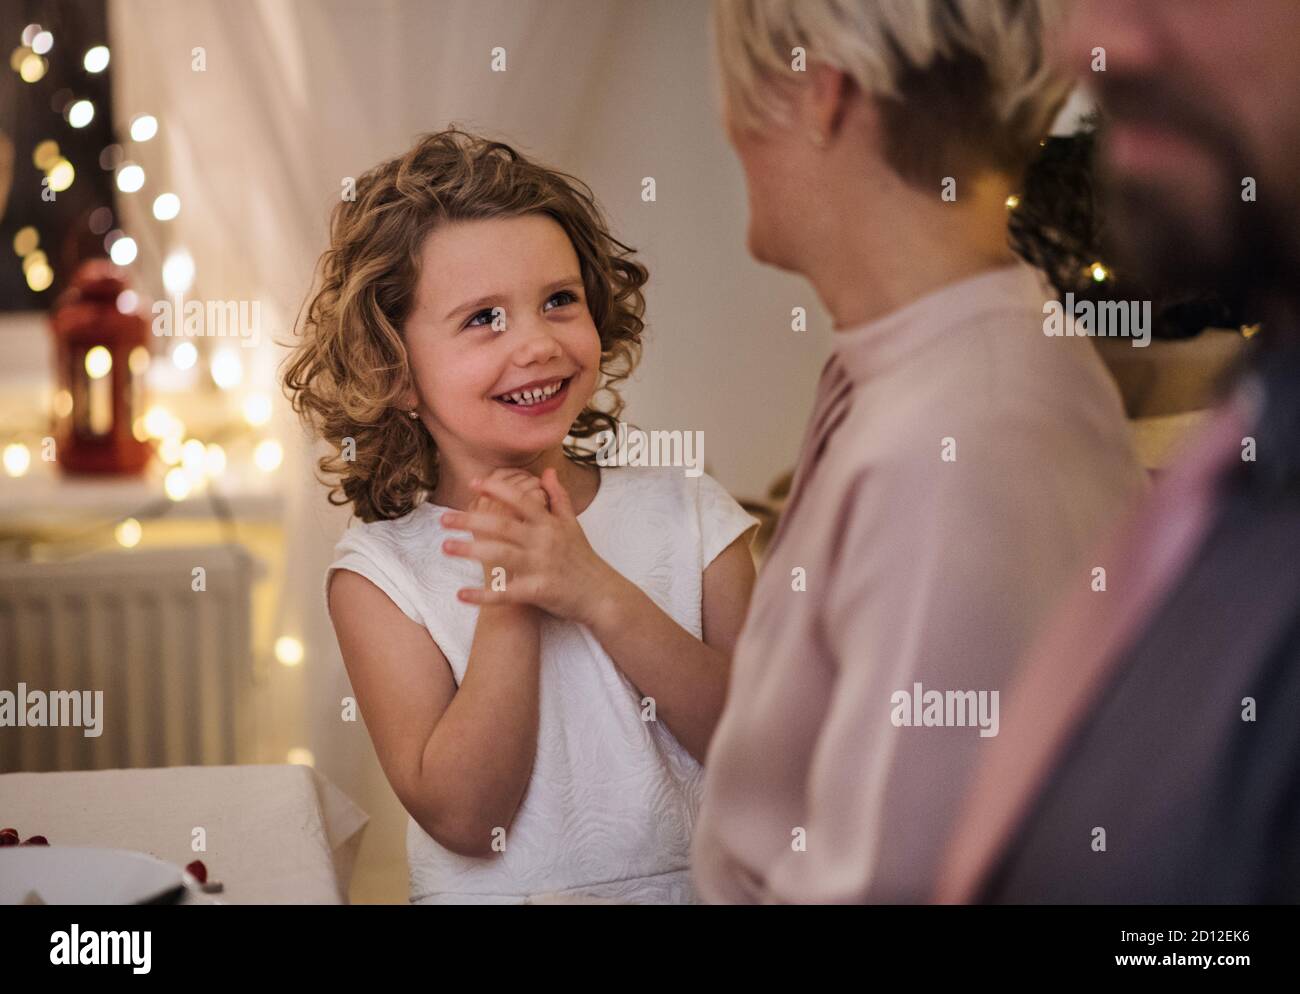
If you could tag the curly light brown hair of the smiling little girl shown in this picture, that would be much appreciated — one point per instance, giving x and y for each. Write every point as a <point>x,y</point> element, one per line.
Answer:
<point>350,367</point>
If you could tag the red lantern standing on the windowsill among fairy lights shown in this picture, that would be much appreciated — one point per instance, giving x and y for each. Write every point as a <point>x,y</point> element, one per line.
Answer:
<point>102,357</point>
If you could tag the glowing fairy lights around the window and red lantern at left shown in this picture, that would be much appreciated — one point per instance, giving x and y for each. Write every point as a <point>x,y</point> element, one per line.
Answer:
<point>192,466</point>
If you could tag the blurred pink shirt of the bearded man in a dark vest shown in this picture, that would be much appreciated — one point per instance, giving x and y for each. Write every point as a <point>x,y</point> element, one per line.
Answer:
<point>1082,652</point>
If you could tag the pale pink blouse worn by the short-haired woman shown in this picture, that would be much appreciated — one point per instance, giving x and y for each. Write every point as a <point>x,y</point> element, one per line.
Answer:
<point>959,466</point>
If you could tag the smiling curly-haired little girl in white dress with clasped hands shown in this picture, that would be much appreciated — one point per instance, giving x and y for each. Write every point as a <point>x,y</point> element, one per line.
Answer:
<point>539,645</point>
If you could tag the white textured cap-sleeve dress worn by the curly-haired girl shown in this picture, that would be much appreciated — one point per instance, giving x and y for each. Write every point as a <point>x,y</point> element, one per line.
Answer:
<point>610,808</point>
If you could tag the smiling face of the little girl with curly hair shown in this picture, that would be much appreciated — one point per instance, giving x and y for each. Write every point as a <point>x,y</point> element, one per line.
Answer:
<point>504,392</point>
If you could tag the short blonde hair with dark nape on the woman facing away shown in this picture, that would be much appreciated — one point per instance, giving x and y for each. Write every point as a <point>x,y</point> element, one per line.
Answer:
<point>961,84</point>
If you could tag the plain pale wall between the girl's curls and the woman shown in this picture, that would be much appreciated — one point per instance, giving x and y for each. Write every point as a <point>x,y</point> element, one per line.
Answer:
<point>721,355</point>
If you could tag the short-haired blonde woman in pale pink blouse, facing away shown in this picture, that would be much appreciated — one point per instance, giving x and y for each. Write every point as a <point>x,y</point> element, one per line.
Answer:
<point>959,462</point>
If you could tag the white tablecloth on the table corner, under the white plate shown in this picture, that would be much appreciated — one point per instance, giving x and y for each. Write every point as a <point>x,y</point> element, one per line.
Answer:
<point>276,835</point>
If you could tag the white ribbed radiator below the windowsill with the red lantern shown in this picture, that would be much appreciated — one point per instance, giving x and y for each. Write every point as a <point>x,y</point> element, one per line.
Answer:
<point>175,665</point>
